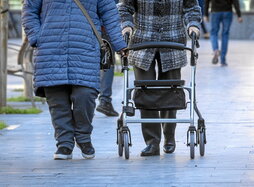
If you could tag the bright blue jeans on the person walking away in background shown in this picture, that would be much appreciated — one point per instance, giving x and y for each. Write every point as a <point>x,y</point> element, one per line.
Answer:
<point>224,18</point>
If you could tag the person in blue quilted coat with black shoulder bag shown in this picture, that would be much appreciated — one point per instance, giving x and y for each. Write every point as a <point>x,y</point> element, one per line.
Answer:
<point>67,64</point>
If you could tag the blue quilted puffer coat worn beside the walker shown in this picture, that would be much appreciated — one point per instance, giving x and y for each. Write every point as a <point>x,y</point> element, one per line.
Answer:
<point>67,51</point>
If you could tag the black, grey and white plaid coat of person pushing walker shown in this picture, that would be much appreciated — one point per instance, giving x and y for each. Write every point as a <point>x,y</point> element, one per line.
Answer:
<point>159,20</point>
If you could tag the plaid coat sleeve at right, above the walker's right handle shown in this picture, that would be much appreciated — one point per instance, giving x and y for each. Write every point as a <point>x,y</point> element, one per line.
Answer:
<point>192,13</point>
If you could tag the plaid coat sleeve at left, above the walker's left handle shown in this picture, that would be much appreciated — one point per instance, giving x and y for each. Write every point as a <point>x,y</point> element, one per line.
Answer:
<point>126,10</point>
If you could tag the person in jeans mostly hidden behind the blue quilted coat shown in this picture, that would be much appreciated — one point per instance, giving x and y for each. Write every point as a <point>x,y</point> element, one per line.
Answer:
<point>107,76</point>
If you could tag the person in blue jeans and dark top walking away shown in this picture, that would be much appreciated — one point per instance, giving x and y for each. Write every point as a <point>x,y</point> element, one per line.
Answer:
<point>221,15</point>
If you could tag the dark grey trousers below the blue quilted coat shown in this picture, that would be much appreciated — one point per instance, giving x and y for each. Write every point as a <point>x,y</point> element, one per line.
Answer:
<point>72,110</point>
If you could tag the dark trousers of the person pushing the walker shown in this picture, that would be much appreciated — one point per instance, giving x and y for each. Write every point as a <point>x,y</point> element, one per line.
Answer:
<point>152,131</point>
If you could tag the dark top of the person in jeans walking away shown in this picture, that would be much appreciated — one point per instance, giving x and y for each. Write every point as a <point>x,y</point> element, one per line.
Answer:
<point>222,6</point>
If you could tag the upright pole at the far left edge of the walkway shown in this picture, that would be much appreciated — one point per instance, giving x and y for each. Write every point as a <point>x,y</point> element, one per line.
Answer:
<point>4,5</point>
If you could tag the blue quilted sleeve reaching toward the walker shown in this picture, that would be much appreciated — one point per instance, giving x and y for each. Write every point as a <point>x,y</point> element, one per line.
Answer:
<point>111,21</point>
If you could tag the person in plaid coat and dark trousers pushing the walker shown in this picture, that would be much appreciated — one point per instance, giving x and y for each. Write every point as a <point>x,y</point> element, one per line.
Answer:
<point>155,20</point>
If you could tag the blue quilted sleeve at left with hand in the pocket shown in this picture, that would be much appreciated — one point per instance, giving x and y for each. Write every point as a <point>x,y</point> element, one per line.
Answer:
<point>31,20</point>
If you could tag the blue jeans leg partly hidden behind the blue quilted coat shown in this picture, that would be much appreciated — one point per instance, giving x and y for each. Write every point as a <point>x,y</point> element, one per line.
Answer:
<point>106,84</point>
